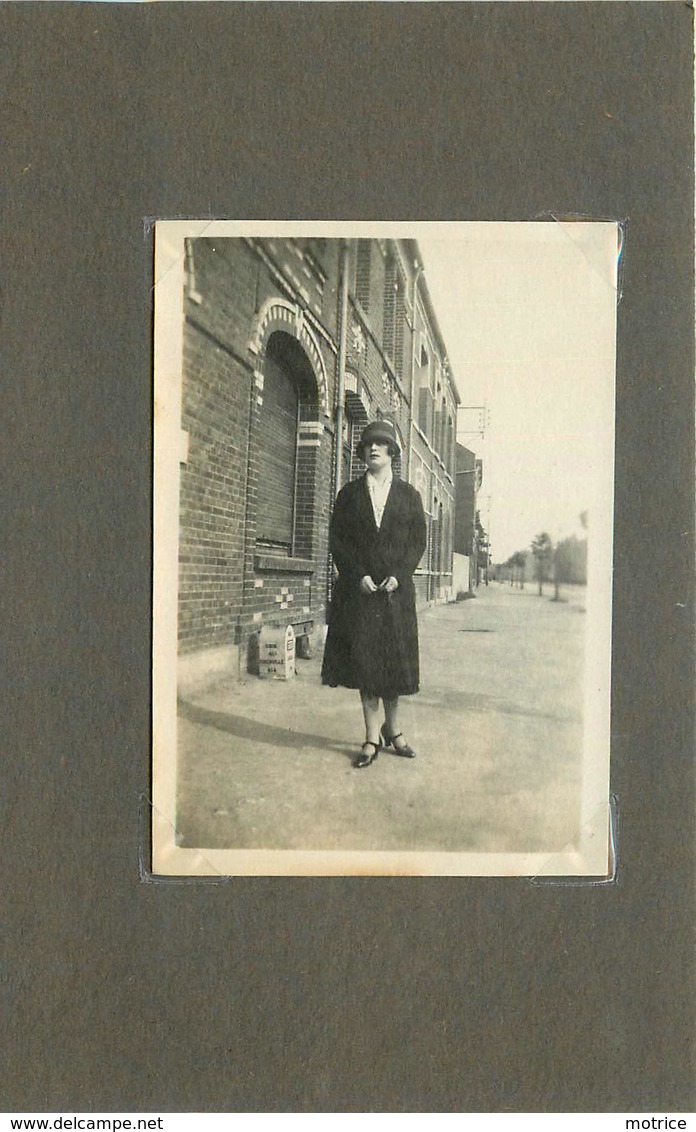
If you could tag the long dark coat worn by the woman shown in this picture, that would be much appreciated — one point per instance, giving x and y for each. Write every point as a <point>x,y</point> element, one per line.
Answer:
<point>373,639</point>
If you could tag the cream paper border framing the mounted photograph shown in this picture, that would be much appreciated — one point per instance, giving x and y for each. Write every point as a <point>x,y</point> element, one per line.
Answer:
<point>590,856</point>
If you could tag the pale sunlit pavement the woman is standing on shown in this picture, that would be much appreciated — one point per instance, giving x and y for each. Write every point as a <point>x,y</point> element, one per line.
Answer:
<point>497,727</point>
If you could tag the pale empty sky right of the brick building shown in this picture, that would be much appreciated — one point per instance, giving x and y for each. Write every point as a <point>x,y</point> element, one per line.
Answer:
<point>528,313</point>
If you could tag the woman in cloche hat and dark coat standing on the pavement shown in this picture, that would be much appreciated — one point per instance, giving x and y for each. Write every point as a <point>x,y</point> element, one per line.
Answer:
<point>377,538</point>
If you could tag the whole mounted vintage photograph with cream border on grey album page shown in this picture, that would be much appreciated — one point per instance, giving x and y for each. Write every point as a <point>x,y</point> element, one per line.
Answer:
<point>383,516</point>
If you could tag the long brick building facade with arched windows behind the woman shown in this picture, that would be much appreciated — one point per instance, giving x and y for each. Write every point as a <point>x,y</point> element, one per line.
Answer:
<point>290,348</point>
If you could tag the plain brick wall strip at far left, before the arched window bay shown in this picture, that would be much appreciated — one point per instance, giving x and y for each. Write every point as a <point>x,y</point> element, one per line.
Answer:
<point>216,414</point>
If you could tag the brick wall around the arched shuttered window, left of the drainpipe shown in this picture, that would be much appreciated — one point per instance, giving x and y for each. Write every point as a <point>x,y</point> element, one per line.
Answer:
<point>230,587</point>
